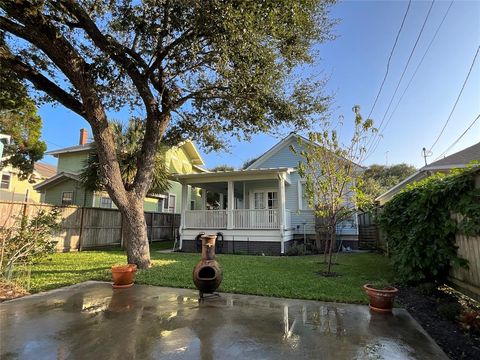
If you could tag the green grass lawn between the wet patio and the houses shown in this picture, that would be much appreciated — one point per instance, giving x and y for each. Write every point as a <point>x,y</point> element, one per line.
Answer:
<point>292,277</point>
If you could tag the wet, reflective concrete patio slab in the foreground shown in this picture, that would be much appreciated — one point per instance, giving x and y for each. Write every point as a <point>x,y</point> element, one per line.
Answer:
<point>93,321</point>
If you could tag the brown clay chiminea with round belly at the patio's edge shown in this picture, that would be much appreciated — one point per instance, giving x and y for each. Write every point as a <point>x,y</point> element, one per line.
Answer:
<point>207,274</point>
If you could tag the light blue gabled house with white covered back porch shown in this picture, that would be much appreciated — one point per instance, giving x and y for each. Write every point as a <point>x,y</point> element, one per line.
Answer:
<point>260,209</point>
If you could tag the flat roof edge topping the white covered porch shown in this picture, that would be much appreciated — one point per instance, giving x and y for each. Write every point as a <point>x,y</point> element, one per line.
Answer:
<point>235,175</point>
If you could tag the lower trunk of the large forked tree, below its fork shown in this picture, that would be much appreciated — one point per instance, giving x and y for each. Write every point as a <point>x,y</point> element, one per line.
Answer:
<point>135,234</point>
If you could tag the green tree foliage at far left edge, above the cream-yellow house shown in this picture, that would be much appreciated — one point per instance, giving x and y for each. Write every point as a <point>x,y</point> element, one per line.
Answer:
<point>19,119</point>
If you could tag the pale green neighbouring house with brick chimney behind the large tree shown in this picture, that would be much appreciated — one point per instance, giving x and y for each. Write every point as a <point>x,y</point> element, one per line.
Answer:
<point>65,188</point>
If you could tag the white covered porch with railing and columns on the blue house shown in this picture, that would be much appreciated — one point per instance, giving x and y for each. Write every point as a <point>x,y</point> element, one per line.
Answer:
<point>248,207</point>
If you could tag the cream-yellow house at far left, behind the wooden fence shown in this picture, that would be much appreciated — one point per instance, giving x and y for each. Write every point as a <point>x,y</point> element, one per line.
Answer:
<point>12,188</point>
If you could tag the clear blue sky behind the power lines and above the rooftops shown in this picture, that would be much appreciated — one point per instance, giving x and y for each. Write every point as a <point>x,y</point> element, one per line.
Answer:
<point>355,64</point>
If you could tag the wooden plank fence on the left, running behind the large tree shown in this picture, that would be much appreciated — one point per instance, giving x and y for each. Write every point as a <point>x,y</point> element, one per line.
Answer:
<point>86,227</point>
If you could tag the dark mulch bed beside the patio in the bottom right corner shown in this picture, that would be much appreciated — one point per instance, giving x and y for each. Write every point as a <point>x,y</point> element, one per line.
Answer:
<point>448,334</point>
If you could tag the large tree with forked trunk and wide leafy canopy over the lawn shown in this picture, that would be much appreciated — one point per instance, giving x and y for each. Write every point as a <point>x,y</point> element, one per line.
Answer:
<point>197,69</point>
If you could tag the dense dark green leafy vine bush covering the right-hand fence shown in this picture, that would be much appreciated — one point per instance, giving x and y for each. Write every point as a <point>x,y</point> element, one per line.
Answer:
<point>420,227</point>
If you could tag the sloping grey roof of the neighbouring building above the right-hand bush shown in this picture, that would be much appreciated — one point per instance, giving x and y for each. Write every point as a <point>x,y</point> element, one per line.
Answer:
<point>457,160</point>
